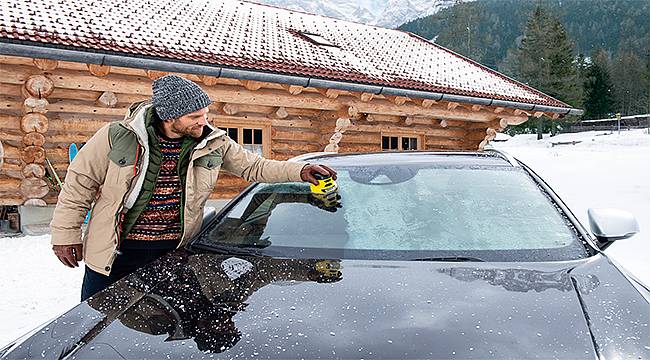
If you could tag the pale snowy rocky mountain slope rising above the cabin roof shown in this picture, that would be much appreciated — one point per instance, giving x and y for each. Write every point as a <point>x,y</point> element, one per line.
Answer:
<point>384,13</point>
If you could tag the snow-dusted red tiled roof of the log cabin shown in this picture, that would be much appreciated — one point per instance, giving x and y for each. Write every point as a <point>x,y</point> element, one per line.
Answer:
<point>257,37</point>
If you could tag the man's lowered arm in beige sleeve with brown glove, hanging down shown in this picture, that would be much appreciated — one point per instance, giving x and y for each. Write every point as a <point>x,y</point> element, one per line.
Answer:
<point>85,175</point>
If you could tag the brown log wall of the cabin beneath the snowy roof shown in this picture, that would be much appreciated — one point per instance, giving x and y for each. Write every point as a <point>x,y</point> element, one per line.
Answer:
<point>45,105</point>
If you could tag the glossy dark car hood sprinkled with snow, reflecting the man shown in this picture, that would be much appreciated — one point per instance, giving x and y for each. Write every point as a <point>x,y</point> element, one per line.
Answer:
<point>210,305</point>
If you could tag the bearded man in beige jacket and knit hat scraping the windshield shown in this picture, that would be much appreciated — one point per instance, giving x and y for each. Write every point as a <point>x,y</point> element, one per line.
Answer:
<point>150,176</point>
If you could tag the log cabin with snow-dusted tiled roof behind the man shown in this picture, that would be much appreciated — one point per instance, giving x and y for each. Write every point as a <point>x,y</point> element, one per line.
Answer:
<point>283,83</point>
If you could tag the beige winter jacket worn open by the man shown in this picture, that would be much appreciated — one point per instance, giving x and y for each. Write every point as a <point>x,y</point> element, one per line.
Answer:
<point>120,183</point>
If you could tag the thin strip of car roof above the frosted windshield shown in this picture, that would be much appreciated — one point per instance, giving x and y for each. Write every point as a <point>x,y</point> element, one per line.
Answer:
<point>488,157</point>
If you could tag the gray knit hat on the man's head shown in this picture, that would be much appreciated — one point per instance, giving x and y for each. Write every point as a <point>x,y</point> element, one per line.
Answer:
<point>174,96</point>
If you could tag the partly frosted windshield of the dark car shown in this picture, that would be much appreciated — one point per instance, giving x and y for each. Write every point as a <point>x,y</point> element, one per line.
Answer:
<point>453,207</point>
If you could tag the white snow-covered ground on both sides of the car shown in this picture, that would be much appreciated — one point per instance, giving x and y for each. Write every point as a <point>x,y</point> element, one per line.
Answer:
<point>600,171</point>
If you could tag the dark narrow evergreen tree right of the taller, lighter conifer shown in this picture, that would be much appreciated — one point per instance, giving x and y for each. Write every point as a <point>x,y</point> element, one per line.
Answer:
<point>599,90</point>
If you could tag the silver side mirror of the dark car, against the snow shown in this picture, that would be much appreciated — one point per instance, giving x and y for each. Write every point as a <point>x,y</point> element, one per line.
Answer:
<point>609,225</point>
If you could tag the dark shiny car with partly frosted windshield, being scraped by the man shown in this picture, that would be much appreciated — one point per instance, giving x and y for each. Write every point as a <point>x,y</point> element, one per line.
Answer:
<point>417,255</point>
